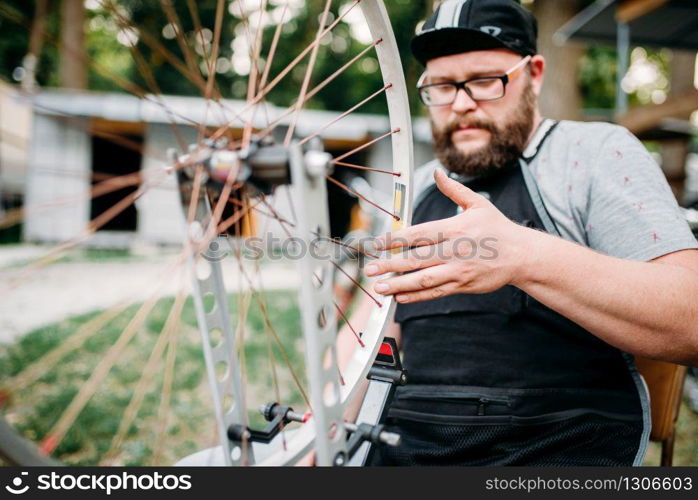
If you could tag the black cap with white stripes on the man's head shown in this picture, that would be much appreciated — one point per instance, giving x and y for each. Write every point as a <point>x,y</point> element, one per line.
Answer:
<point>464,25</point>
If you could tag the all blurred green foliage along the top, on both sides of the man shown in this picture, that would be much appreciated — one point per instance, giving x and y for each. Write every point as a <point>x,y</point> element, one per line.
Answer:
<point>108,40</point>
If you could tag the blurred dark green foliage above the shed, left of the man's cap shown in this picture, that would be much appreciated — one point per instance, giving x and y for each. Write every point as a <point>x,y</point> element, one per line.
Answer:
<point>108,35</point>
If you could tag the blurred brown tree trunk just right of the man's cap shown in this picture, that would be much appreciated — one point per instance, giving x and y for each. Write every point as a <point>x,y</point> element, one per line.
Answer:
<point>560,98</point>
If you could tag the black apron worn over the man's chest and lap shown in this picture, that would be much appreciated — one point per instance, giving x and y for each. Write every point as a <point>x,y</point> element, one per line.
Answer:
<point>501,379</point>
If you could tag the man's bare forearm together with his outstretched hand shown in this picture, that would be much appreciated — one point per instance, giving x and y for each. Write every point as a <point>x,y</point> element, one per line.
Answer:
<point>643,308</point>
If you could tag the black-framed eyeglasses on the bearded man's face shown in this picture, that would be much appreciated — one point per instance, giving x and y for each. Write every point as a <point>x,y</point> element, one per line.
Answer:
<point>483,88</point>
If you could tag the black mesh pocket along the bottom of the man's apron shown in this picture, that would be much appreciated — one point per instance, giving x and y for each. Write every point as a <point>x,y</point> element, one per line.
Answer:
<point>559,439</point>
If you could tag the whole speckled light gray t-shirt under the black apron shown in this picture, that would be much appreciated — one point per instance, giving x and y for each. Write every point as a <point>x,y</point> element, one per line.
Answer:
<point>602,190</point>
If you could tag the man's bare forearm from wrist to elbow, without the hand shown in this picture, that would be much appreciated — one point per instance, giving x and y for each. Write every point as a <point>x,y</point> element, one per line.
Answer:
<point>648,309</point>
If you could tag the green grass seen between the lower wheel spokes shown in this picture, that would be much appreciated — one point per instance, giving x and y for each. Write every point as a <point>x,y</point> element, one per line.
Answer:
<point>35,409</point>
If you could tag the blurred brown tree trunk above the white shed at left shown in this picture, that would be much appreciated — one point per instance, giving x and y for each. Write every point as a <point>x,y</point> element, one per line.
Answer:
<point>73,71</point>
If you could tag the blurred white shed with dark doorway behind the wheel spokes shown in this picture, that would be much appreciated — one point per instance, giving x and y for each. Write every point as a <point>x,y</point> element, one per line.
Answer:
<point>79,137</point>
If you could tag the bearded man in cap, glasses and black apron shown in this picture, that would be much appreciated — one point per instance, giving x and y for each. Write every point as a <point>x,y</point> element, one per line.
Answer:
<point>520,352</point>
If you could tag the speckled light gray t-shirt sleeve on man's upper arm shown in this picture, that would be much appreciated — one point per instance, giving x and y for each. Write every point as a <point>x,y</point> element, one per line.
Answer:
<point>632,212</point>
